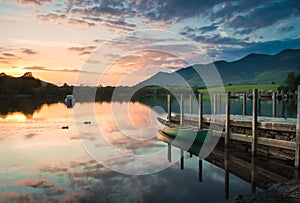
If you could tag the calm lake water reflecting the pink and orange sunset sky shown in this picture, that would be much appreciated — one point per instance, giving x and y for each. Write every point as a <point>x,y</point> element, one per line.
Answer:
<point>48,153</point>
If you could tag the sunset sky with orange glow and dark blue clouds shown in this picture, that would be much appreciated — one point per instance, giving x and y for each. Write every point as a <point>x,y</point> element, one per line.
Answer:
<point>110,42</point>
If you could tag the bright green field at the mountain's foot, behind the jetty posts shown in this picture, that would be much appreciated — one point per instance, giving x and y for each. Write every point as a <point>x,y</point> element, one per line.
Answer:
<point>242,88</point>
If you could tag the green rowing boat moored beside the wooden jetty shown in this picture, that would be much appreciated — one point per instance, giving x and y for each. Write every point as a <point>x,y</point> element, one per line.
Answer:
<point>174,130</point>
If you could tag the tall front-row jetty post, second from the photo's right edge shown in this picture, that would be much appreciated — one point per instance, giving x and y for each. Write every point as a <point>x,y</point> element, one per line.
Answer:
<point>254,123</point>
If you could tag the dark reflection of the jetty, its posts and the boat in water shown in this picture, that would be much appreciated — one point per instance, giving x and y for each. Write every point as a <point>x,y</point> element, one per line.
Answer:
<point>259,172</point>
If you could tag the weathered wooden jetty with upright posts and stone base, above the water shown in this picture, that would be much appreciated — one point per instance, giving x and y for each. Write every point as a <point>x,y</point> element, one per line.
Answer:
<point>270,136</point>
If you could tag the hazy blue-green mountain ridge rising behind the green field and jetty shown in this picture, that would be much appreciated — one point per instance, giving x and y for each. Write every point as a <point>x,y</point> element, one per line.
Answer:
<point>252,69</point>
